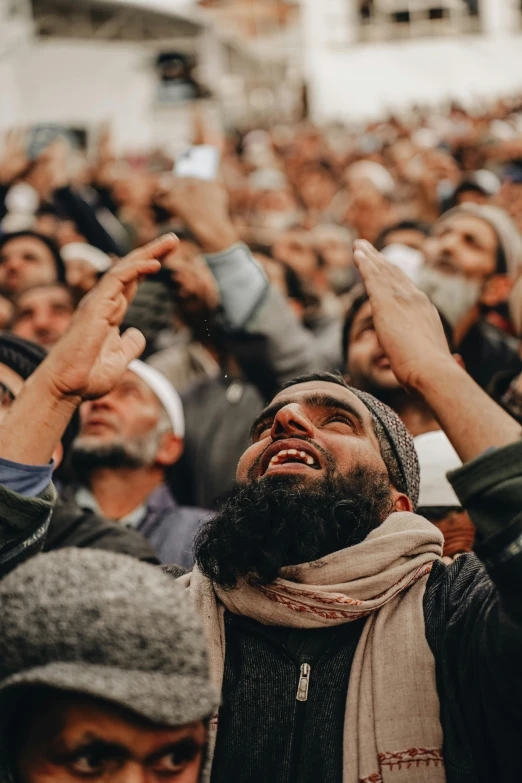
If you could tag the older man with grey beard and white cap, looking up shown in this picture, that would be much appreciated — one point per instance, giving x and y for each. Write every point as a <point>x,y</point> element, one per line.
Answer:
<point>128,440</point>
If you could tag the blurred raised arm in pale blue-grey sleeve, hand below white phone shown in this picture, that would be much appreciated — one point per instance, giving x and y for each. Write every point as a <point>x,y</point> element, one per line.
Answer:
<point>264,333</point>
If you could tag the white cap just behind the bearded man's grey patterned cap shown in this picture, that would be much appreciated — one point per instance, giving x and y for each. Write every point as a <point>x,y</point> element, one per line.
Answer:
<point>436,457</point>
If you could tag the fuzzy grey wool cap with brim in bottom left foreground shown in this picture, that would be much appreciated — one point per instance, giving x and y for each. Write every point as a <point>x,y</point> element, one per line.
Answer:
<point>109,626</point>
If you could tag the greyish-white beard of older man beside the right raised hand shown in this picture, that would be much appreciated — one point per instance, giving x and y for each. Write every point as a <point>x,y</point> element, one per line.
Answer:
<point>452,295</point>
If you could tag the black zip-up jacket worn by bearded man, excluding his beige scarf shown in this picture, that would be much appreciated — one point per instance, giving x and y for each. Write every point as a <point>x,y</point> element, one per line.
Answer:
<point>473,624</point>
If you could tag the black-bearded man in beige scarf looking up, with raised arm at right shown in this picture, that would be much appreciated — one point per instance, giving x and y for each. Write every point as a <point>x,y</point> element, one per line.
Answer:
<point>344,648</point>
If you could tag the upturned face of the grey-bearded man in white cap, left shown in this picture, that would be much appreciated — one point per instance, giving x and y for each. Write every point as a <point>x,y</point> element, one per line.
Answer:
<point>125,428</point>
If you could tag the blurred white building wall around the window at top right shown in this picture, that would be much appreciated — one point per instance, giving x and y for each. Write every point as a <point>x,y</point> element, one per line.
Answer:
<point>351,80</point>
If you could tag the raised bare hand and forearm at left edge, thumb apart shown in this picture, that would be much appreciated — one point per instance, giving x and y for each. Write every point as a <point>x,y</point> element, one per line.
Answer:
<point>85,364</point>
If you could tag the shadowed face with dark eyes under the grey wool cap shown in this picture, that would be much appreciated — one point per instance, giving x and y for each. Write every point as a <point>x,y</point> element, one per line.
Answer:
<point>77,738</point>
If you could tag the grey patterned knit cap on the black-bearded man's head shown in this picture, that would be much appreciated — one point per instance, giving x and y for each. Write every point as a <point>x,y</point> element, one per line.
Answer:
<point>397,446</point>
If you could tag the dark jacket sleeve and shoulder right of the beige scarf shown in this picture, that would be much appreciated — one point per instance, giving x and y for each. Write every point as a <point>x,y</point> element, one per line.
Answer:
<point>473,612</point>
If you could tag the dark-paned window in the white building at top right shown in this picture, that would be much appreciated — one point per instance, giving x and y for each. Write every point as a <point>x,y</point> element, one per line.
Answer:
<point>385,19</point>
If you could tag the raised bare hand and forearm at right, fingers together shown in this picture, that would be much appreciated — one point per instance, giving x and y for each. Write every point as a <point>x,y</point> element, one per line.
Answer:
<point>410,332</point>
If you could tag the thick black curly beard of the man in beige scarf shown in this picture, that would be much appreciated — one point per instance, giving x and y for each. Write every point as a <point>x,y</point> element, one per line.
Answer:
<point>281,521</point>
